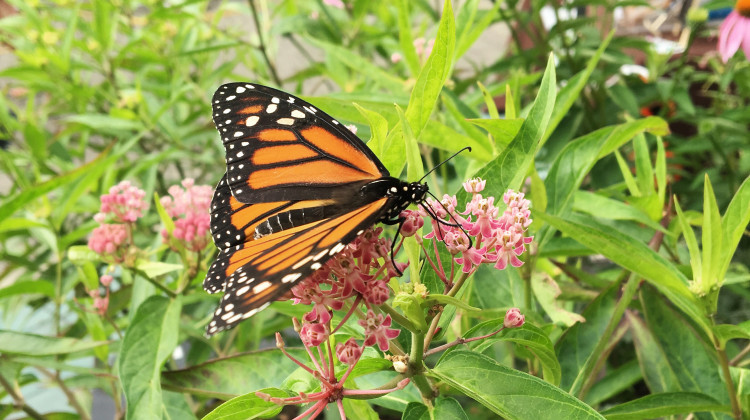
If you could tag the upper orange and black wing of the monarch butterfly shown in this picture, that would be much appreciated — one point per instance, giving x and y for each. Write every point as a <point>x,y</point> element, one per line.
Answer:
<point>281,148</point>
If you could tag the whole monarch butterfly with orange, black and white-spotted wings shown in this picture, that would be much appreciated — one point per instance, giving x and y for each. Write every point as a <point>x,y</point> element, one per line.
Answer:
<point>299,187</point>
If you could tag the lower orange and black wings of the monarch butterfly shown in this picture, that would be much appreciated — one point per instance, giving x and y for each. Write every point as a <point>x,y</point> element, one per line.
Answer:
<point>254,269</point>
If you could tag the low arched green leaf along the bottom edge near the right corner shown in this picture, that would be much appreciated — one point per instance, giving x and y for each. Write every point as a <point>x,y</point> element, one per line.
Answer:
<point>663,405</point>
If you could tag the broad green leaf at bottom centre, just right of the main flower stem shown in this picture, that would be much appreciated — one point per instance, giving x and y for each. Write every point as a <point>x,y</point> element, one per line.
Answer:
<point>508,392</point>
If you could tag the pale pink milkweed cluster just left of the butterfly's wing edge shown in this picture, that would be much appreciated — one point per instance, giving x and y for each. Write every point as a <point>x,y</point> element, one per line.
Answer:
<point>190,205</point>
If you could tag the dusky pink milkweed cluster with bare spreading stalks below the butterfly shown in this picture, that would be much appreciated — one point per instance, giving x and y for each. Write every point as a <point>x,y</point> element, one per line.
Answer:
<point>356,276</point>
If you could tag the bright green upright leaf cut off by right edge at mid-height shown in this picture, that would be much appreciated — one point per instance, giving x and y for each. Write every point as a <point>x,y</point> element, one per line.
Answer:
<point>734,222</point>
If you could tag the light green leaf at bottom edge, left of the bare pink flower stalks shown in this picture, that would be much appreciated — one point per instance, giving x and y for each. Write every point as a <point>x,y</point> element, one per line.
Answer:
<point>248,406</point>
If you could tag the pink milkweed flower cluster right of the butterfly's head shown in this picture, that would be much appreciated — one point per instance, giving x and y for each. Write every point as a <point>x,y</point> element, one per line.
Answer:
<point>480,234</point>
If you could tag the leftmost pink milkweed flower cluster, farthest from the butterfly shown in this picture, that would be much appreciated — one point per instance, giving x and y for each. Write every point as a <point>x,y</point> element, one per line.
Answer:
<point>123,205</point>
